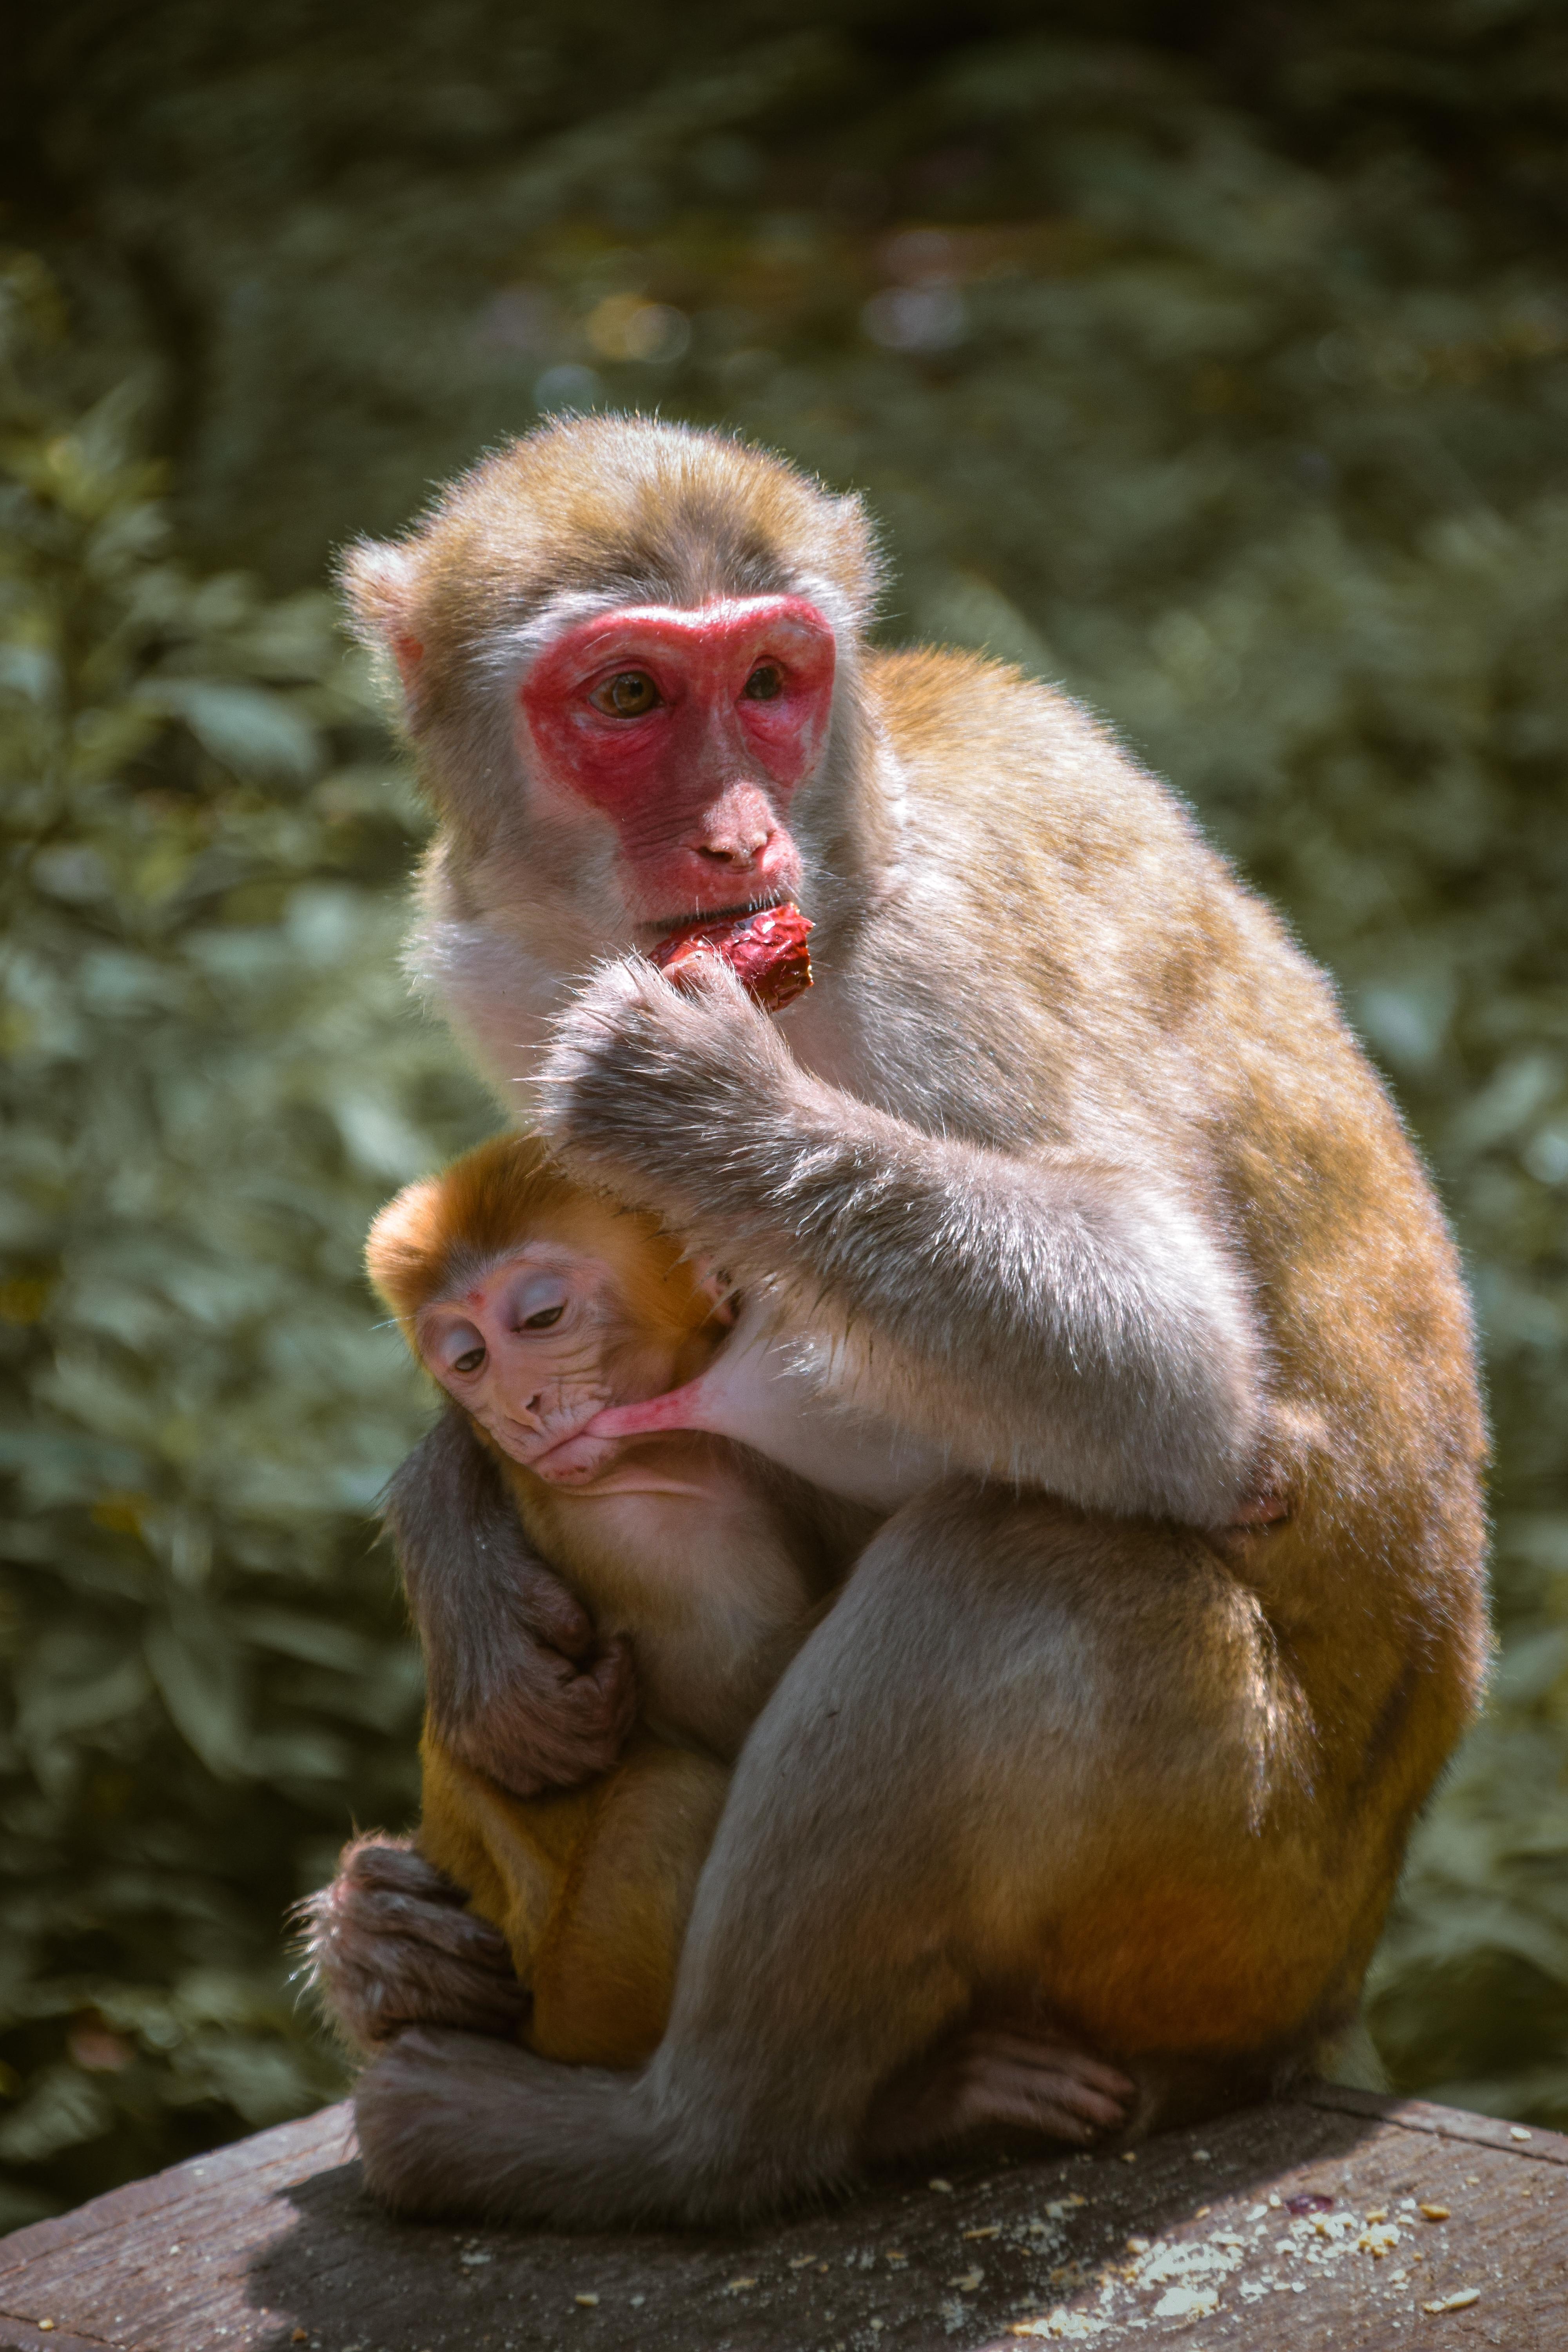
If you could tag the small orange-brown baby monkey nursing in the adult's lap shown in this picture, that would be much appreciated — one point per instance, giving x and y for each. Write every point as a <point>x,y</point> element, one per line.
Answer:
<point>542,1311</point>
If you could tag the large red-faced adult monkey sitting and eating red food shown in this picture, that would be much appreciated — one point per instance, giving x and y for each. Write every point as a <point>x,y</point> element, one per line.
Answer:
<point>1076,1149</point>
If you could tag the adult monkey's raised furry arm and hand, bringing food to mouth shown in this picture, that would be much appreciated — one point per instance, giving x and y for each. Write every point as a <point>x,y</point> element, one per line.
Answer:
<point>1061,1321</point>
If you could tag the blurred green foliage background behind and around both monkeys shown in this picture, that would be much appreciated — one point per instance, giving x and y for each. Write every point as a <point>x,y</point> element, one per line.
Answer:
<point>1219,370</point>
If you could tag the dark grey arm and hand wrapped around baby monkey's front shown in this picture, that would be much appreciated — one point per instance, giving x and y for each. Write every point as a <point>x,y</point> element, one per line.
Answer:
<point>516,1681</point>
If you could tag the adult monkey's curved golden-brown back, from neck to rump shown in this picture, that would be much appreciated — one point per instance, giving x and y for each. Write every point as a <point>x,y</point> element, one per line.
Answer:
<point>1162,1013</point>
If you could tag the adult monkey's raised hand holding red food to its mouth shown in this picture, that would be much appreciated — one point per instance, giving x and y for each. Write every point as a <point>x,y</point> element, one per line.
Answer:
<point>648,1085</point>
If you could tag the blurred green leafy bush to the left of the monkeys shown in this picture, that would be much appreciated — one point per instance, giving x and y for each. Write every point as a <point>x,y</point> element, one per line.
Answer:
<point>213,1076</point>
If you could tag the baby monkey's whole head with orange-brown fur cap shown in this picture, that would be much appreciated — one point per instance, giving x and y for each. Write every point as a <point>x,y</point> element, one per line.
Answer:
<point>537,1304</point>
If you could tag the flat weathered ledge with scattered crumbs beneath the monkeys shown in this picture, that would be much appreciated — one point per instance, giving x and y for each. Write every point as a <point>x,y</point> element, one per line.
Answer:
<point>1280,2229</point>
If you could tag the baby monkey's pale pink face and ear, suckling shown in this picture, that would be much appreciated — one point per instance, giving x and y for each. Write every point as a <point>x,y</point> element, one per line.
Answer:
<point>542,1342</point>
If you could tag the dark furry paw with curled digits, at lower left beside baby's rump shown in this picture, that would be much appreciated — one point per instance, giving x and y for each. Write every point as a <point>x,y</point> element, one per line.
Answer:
<point>391,1944</point>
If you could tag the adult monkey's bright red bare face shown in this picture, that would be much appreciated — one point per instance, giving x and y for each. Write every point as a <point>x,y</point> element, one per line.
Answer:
<point>690,730</point>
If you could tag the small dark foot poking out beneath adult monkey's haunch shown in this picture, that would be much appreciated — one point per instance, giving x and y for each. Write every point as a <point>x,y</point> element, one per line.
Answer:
<point>993,2078</point>
